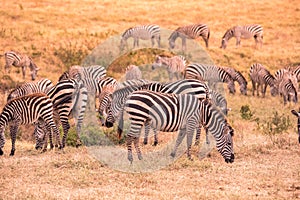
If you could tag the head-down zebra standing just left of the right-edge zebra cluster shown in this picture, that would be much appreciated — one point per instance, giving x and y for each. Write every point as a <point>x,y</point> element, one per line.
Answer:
<point>260,76</point>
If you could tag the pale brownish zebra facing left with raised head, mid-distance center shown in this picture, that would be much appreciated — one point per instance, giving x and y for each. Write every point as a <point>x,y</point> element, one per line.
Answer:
<point>175,65</point>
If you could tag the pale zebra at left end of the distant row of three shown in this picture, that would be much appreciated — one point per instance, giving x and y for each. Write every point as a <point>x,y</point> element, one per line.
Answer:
<point>143,32</point>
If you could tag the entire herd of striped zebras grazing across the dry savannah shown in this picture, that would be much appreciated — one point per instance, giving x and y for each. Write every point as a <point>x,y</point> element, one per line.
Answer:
<point>184,105</point>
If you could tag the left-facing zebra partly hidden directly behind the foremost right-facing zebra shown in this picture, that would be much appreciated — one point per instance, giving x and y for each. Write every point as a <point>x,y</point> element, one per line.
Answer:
<point>115,108</point>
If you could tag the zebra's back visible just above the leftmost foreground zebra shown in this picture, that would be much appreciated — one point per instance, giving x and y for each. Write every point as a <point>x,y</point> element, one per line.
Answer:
<point>41,86</point>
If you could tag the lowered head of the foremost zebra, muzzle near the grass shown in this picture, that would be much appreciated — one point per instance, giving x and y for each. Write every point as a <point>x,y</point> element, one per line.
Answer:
<point>226,145</point>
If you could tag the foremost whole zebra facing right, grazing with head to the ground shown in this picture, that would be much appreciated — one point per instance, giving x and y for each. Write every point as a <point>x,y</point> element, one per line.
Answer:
<point>174,112</point>
